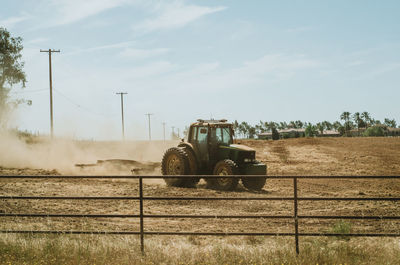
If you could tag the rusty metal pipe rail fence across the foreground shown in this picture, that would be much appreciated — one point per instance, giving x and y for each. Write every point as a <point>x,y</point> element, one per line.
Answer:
<point>141,198</point>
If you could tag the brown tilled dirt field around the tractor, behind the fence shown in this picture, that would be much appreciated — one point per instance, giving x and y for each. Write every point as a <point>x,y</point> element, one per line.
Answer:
<point>320,156</point>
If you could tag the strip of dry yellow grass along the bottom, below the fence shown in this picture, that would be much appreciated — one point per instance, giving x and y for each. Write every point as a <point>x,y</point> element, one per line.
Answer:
<point>90,249</point>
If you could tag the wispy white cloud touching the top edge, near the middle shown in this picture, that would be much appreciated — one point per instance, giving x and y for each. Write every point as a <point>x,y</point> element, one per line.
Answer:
<point>175,15</point>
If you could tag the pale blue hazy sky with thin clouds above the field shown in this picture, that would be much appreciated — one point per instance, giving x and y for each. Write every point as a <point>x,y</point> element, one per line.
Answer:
<point>184,60</point>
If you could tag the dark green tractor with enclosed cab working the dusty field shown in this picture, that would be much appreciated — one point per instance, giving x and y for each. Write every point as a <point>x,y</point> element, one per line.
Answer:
<point>210,150</point>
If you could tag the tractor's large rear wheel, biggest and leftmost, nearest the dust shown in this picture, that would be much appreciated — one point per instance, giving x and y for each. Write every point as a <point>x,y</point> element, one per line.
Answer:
<point>176,162</point>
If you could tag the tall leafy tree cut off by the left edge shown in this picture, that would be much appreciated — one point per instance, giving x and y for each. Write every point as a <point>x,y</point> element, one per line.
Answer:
<point>11,71</point>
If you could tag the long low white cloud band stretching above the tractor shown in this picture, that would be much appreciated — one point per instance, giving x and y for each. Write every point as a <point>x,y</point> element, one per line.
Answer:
<point>212,78</point>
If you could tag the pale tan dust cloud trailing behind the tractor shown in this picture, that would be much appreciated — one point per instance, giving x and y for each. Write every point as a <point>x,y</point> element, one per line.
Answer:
<point>62,154</point>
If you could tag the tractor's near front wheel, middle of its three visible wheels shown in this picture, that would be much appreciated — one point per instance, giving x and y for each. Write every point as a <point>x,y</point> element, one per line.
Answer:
<point>224,168</point>
